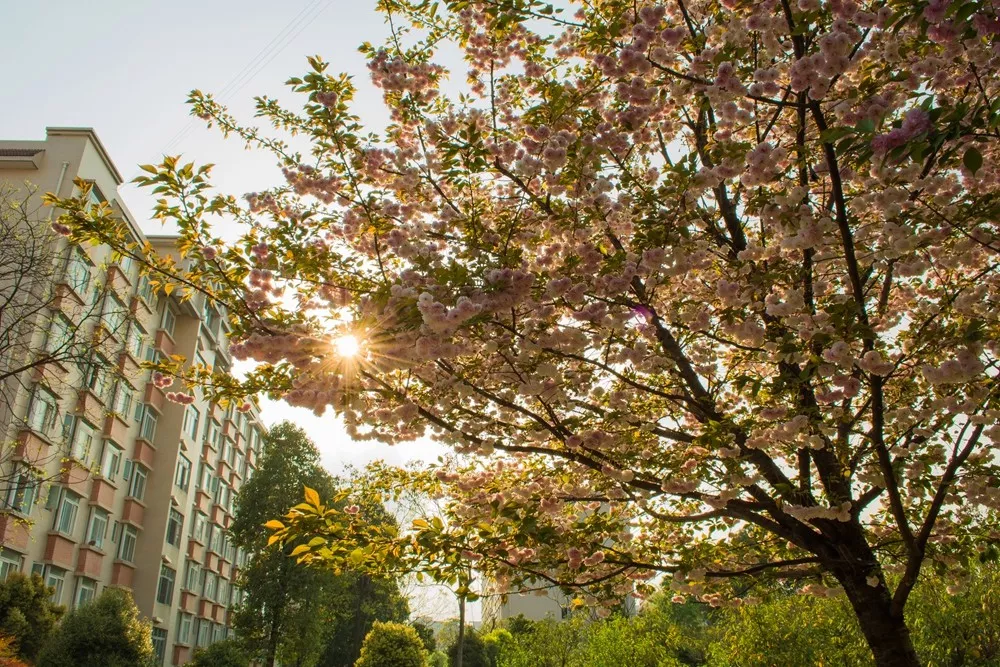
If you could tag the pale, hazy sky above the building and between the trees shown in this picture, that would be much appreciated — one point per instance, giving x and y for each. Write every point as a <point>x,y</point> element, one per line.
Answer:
<point>125,67</point>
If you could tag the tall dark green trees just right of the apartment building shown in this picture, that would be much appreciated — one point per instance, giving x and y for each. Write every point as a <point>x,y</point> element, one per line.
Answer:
<point>331,613</point>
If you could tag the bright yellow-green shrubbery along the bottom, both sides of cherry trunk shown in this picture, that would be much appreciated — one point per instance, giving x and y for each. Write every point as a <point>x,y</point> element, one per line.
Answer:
<point>960,627</point>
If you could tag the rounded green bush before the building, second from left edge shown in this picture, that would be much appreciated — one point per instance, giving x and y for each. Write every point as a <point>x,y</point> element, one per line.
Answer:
<point>106,632</point>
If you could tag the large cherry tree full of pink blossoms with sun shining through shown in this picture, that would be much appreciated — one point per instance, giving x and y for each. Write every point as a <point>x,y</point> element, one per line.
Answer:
<point>701,289</point>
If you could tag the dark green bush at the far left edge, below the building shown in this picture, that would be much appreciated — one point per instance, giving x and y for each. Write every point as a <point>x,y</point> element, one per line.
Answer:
<point>27,614</point>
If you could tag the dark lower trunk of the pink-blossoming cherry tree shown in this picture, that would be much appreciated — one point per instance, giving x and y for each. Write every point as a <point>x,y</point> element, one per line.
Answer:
<point>886,632</point>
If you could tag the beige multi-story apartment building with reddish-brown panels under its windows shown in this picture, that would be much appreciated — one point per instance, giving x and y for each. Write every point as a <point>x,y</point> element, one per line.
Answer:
<point>112,484</point>
